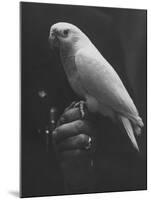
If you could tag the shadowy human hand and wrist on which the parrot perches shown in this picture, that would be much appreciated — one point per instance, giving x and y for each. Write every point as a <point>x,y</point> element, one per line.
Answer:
<point>74,142</point>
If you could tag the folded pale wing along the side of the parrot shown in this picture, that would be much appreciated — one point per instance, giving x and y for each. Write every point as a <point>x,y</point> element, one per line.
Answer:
<point>102,82</point>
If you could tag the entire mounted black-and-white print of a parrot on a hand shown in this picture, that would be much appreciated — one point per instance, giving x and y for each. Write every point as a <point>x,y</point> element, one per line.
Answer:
<point>83,99</point>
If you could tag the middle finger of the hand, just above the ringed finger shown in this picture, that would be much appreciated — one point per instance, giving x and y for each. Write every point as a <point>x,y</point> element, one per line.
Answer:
<point>70,129</point>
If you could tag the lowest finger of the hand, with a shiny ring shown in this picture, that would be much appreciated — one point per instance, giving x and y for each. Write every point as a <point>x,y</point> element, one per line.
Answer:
<point>76,142</point>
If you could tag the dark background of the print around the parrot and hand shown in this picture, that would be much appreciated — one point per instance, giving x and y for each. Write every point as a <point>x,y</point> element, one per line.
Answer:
<point>120,35</point>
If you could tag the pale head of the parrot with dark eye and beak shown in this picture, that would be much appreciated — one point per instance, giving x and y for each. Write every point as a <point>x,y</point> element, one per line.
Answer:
<point>63,33</point>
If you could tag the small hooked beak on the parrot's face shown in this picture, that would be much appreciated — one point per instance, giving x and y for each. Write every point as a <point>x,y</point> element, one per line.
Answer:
<point>53,39</point>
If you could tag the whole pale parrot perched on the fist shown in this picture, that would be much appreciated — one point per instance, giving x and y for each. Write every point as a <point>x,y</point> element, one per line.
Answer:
<point>93,78</point>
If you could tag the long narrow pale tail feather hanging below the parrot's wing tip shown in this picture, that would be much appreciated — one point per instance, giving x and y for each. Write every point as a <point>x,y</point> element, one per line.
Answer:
<point>129,130</point>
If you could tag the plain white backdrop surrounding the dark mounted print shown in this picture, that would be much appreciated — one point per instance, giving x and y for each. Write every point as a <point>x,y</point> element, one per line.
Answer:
<point>9,98</point>
